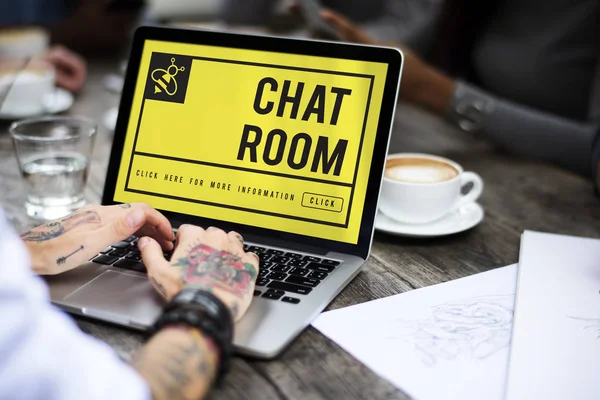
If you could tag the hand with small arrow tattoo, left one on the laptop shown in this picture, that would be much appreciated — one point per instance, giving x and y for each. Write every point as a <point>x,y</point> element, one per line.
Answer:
<point>64,244</point>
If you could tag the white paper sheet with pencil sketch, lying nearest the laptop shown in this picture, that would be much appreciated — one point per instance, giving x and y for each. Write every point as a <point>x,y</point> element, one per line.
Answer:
<point>448,341</point>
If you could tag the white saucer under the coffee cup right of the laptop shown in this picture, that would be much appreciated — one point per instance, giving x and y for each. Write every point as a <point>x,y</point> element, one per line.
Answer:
<point>460,220</point>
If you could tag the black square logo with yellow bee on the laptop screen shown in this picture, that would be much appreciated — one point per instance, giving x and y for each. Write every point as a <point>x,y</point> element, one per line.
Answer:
<point>168,77</point>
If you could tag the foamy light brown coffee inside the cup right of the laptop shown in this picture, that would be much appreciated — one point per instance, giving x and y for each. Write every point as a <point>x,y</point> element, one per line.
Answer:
<point>419,170</point>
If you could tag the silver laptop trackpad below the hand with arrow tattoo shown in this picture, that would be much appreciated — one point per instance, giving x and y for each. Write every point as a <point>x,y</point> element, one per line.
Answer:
<point>118,297</point>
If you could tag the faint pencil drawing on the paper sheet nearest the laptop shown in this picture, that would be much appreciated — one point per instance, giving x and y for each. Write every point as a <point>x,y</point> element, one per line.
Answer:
<point>474,327</point>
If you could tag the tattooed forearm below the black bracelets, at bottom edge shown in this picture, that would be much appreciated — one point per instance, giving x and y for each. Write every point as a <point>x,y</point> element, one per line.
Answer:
<point>178,363</point>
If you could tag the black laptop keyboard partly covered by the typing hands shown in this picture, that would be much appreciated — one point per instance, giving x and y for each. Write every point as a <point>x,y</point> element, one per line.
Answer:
<point>284,276</point>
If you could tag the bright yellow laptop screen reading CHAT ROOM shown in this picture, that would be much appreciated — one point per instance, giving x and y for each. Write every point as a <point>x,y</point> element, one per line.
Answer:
<point>266,139</point>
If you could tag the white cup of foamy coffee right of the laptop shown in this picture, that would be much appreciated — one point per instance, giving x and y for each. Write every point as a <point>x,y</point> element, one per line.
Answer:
<point>421,188</point>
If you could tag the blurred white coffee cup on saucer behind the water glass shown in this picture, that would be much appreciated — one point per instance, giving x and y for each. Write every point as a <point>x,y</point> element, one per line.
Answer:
<point>28,88</point>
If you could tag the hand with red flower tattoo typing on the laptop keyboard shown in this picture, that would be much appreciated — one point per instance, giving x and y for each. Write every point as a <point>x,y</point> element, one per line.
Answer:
<point>209,259</point>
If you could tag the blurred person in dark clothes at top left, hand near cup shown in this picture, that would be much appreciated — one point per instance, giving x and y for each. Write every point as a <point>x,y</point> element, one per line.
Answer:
<point>87,27</point>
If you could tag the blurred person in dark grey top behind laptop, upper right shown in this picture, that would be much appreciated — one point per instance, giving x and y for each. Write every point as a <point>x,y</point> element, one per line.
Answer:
<point>524,76</point>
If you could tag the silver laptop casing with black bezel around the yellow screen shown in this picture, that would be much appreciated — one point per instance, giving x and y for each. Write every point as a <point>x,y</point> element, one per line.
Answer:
<point>125,297</point>
